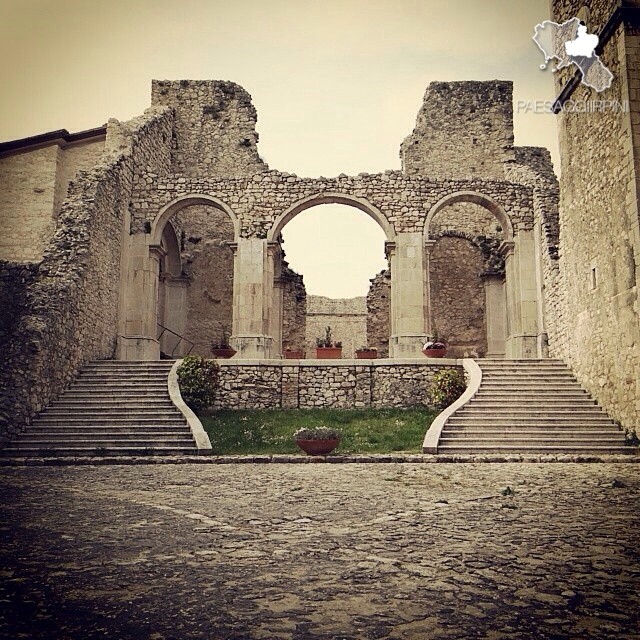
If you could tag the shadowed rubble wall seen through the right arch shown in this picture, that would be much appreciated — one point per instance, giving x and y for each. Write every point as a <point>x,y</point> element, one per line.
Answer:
<point>457,296</point>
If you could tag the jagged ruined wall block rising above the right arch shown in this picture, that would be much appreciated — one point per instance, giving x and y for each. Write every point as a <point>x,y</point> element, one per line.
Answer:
<point>463,129</point>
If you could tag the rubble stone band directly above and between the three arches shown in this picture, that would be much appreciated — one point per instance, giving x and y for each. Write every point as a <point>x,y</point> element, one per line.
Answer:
<point>260,200</point>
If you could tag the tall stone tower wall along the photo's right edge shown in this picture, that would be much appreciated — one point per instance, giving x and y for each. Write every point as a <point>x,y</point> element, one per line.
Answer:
<point>599,224</point>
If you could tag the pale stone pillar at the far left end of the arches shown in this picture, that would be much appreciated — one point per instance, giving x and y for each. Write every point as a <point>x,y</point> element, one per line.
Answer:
<point>139,302</point>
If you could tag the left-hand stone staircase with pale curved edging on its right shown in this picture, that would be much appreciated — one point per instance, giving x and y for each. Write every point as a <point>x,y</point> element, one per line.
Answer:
<point>112,408</point>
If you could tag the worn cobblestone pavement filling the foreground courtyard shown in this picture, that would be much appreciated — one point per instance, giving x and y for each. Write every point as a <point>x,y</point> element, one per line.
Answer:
<point>320,551</point>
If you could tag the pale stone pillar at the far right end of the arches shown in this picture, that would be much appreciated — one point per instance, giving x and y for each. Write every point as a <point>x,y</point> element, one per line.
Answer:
<point>523,297</point>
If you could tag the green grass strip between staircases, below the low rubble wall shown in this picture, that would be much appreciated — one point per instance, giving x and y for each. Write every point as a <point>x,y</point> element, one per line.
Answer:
<point>363,430</point>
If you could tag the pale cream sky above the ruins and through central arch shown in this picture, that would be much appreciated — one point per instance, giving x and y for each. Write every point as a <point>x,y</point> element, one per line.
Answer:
<point>336,83</point>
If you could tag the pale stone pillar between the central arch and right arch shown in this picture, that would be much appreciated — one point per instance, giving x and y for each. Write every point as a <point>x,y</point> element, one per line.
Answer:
<point>409,301</point>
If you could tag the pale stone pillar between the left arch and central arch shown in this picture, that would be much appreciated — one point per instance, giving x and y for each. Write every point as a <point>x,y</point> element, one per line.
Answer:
<point>252,298</point>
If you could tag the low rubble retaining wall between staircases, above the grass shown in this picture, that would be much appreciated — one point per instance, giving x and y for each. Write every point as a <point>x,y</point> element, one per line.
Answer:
<point>344,384</point>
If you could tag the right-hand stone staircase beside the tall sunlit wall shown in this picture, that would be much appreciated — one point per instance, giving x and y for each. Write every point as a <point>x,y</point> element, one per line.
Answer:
<point>530,407</point>
